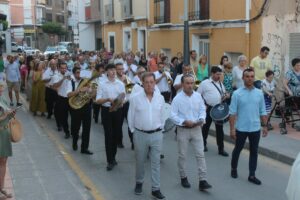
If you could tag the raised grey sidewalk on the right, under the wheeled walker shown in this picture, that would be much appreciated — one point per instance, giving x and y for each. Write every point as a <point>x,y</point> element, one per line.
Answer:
<point>283,148</point>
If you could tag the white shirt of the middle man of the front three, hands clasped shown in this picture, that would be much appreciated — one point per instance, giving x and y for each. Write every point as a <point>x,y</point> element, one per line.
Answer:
<point>186,107</point>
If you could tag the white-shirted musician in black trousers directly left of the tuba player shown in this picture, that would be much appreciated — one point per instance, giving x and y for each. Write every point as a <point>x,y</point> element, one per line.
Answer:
<point>61,108</point>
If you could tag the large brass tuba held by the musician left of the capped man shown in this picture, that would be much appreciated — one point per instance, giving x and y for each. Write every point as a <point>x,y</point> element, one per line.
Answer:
<point>79,100</point>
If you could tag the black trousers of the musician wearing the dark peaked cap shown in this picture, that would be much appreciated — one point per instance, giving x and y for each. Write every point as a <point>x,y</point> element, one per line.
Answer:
<point>112,124</point>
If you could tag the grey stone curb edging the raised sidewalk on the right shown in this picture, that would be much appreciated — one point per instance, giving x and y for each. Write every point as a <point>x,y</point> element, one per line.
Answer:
<point>261,150</point>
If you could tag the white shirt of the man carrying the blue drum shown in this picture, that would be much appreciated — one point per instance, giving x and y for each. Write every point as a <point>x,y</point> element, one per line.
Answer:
<point>210,93</point>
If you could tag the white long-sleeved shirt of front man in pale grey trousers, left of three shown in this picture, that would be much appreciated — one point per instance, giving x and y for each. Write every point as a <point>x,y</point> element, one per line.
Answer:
<point>144,114</point>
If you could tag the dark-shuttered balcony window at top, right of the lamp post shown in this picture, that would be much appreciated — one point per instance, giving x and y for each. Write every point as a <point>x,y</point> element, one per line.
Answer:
<point>198,9</point>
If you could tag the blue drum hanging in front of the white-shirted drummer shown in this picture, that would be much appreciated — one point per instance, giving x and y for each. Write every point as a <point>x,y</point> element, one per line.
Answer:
<point>220,113</point>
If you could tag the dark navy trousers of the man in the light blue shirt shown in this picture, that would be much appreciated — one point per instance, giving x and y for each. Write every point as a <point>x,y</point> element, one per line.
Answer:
<point>253,147</point>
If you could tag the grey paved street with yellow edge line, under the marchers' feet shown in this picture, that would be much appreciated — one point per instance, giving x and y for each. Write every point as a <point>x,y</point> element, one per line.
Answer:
<point>45,167</point>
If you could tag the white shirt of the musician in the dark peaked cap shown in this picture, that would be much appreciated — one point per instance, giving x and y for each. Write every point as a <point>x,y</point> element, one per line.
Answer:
<point>110,89</point>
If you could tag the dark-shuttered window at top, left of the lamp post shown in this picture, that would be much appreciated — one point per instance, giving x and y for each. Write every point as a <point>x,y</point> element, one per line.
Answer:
<point>161,11</point>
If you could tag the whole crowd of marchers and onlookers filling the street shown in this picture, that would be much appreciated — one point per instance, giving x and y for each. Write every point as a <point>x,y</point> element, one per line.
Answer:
<point>136,87</point>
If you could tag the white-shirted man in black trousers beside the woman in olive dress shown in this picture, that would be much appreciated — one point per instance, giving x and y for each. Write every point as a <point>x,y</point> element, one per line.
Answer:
<point>50,93</point>
